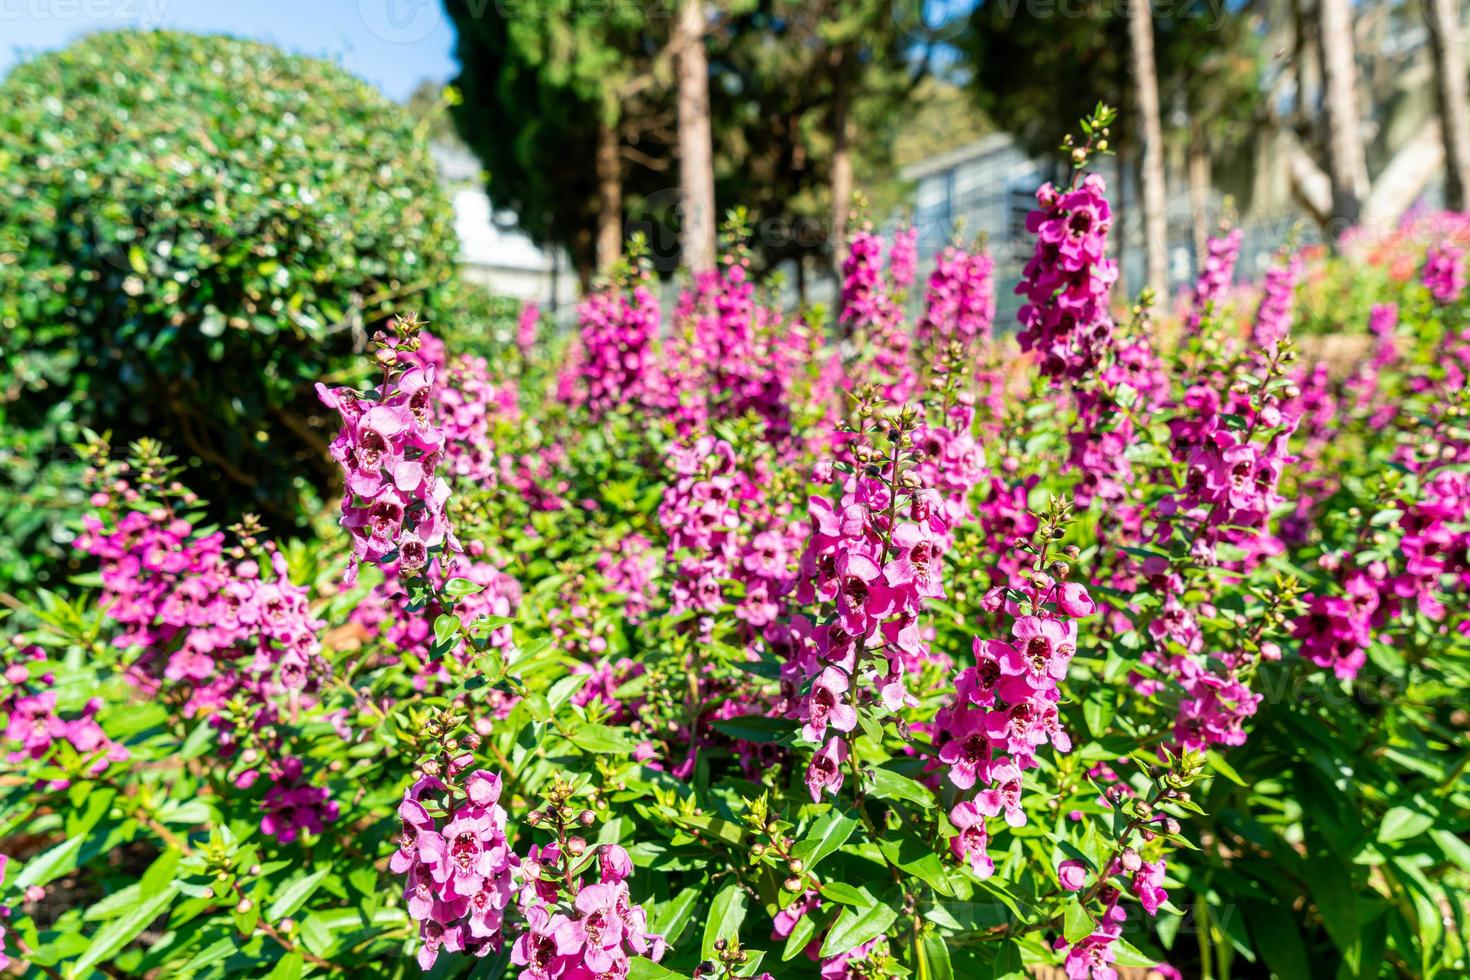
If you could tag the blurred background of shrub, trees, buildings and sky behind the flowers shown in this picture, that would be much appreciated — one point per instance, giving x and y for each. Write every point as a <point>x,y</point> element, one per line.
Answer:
<point>192,227</point>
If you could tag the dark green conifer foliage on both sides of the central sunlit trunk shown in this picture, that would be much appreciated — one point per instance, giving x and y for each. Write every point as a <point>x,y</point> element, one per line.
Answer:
<point>539,82</point>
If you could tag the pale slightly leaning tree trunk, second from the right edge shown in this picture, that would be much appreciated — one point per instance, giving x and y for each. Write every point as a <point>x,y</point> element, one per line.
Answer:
<point>1347,165</point>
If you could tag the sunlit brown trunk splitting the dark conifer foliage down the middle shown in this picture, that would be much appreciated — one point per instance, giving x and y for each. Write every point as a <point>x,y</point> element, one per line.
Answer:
<point>696,148</point>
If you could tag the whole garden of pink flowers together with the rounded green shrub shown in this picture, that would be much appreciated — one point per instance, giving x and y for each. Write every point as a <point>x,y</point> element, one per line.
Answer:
<point>364,625</point>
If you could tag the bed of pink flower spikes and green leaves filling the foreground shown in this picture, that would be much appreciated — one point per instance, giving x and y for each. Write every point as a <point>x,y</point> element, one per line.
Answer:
<point>711,649</point>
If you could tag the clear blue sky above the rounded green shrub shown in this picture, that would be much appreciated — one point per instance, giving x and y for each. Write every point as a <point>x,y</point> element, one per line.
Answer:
<point>390,43</point>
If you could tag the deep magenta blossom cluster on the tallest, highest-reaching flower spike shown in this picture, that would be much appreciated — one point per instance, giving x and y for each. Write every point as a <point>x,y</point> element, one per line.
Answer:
<point>1068,280</point>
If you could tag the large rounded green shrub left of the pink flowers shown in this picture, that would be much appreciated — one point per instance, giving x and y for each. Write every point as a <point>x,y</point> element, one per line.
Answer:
<point>193,230</point>
